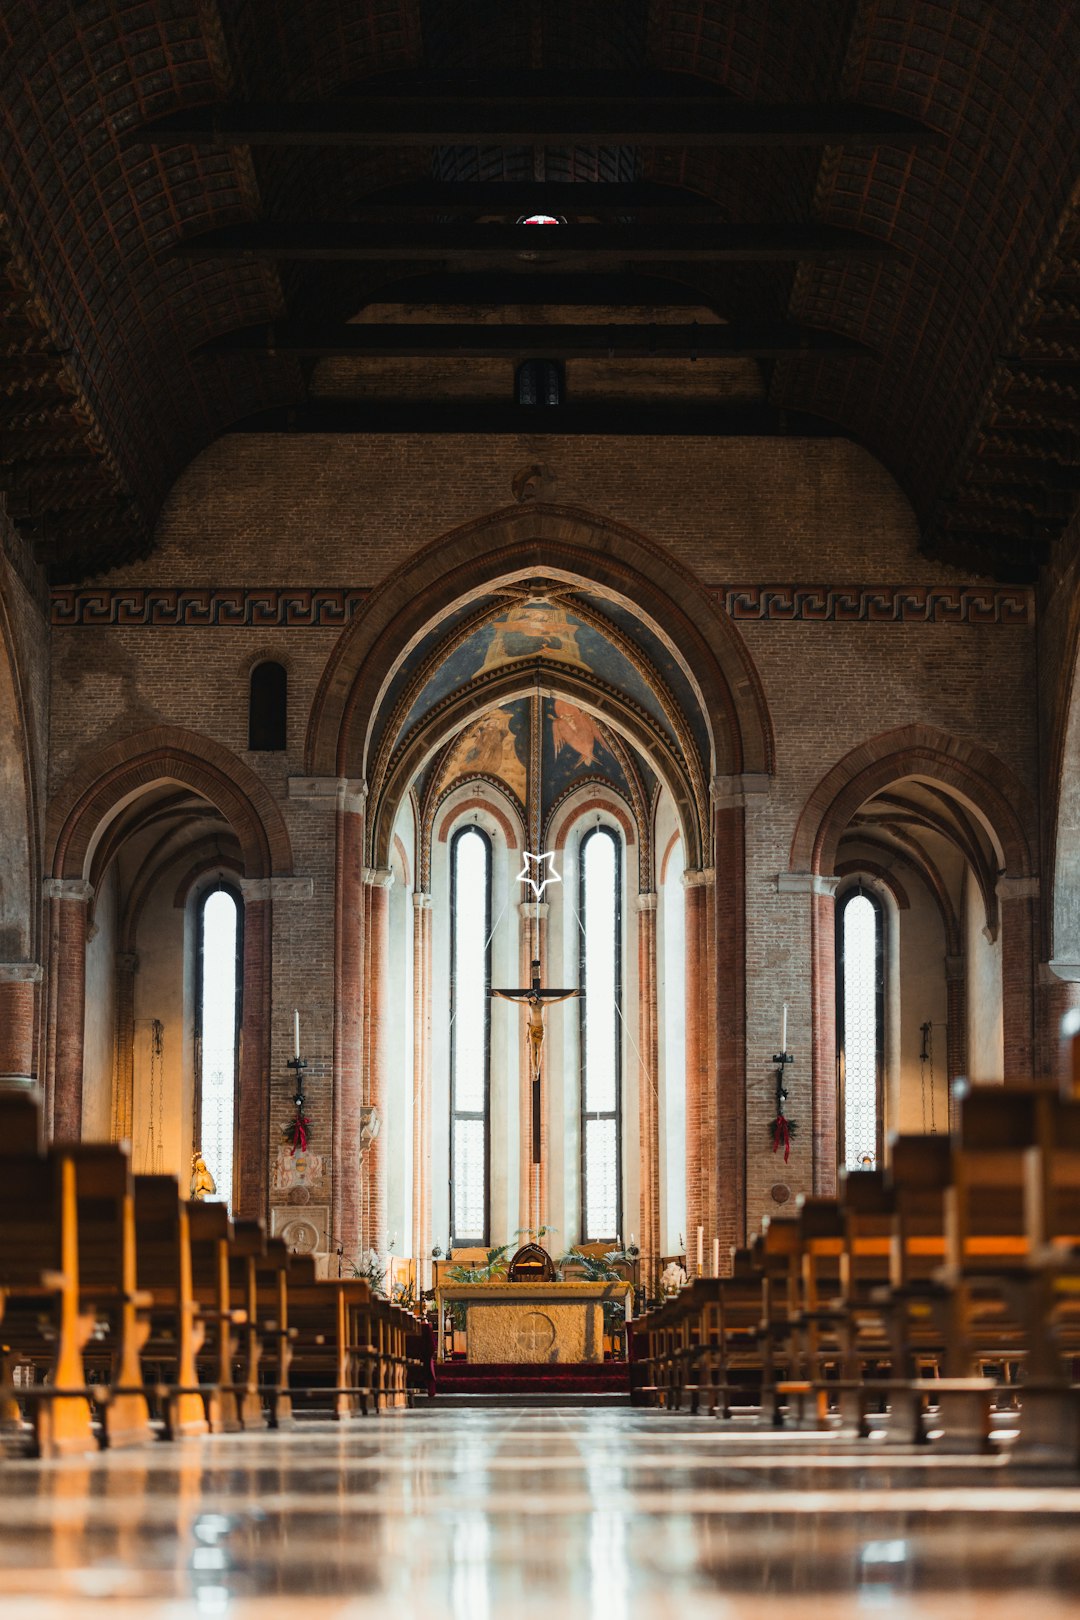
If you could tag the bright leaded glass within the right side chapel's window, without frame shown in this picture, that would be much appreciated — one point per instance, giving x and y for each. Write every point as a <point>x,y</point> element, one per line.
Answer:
<point>861,1033</point>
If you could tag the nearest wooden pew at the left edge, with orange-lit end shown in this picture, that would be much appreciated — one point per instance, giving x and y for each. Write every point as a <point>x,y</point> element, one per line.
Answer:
<point>41,1319</point>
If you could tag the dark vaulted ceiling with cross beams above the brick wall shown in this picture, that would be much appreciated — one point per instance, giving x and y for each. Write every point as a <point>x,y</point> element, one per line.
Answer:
<point>198,198</point>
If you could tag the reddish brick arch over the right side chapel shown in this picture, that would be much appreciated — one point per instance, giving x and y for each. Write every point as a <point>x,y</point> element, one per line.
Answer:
<point>916,751</point>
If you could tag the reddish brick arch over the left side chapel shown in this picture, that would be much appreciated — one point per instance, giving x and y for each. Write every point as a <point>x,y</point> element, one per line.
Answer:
<point>122,769</point>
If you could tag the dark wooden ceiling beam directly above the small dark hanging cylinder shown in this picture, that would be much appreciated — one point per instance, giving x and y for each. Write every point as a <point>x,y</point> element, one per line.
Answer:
<point>694,341</point>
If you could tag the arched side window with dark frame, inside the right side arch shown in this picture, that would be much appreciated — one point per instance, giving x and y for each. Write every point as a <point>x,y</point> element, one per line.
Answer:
<point>861,1030</point>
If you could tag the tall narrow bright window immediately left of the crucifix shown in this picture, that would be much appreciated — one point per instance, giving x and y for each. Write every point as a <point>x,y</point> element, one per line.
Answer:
<point>470,1033</point>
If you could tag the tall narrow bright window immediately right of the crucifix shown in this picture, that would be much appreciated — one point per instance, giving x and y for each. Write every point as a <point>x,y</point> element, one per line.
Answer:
<point>602,1036</point>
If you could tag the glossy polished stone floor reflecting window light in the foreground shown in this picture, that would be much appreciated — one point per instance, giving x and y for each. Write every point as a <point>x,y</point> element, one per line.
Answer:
<point>517,1514</point>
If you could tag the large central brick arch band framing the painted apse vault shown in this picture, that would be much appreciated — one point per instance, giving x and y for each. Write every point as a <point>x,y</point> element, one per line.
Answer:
<point>545,542</point>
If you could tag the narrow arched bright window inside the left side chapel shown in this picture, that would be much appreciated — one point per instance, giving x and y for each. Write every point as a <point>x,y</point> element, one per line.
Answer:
<point>218,1036</point>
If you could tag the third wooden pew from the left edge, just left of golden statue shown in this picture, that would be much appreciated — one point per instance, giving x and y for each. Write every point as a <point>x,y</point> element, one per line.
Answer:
<point>176,1323</point>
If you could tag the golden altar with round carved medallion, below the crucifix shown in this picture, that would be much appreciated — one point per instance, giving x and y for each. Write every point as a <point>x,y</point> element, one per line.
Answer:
<point>551,1323</point>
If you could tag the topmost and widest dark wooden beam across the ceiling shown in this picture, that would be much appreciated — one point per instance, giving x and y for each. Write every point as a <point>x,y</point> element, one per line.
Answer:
<point>532,116</point>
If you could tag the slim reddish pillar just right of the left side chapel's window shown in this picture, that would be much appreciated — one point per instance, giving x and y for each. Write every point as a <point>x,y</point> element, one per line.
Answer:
<point>253,1102</point>
